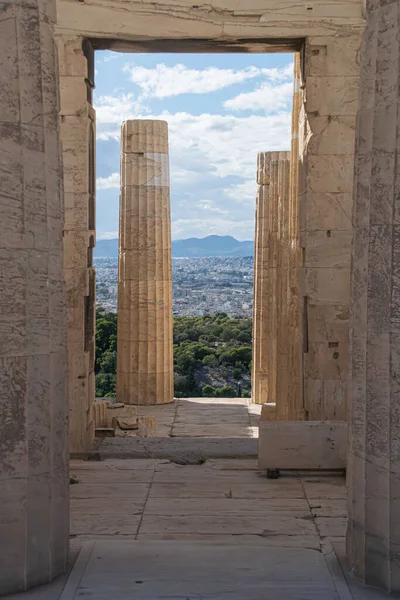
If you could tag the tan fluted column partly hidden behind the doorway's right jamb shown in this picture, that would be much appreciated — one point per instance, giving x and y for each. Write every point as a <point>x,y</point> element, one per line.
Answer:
<point>271,211</point>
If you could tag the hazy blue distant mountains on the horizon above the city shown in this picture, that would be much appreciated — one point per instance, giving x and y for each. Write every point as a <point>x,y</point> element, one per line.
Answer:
<point>212,245</point>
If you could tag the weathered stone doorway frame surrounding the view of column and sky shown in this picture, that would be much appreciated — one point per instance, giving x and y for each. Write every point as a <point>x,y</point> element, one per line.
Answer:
<point>324,135</point>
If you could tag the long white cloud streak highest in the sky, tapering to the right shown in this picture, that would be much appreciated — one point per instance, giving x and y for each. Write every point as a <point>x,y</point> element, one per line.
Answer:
<point>165,82</point>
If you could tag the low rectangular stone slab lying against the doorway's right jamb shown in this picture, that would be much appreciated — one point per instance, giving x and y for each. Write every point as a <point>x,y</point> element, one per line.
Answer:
<point>302,445</point>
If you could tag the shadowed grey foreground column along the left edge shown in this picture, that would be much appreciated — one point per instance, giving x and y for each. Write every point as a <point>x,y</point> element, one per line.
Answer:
<point>33,354</point>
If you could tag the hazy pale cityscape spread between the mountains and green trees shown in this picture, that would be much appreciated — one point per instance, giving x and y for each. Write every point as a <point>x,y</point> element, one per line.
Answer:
<point>201,286</point>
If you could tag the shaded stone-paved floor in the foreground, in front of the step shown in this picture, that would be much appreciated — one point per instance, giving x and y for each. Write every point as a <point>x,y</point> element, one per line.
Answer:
<point>153,529</point>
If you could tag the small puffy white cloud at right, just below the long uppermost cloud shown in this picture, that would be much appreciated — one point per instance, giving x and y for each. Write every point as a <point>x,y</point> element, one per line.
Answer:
<point>268,98</point>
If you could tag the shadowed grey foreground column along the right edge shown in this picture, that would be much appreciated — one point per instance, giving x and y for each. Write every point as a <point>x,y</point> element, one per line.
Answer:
<point>373,535</point>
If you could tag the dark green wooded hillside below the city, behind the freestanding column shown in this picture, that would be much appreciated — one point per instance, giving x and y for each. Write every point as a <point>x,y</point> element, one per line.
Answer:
<point>212,356</point>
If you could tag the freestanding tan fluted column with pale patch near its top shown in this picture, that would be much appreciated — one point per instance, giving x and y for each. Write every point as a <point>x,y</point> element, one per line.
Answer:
<point>145,350</point>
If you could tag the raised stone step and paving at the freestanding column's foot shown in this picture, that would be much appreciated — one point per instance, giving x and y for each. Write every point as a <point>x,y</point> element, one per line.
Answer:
<point>189,429</point>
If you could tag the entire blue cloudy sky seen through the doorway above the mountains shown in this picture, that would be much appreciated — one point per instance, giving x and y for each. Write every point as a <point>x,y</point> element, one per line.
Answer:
<point>221,109</point>
